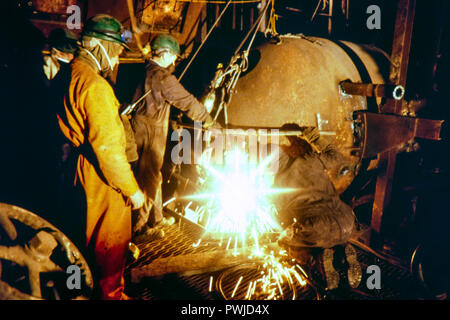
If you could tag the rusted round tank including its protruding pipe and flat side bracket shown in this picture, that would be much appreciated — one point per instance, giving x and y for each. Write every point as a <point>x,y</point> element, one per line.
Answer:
<point>315,82</point>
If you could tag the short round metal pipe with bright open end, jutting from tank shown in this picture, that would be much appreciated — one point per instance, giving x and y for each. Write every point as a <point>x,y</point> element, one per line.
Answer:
<point>372,90</point>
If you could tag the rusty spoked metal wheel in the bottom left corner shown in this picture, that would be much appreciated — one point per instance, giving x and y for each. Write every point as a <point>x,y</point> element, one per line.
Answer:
<point>37,261</point>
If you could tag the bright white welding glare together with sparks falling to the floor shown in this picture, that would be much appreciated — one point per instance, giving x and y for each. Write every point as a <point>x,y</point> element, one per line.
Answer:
<point>238,207</point>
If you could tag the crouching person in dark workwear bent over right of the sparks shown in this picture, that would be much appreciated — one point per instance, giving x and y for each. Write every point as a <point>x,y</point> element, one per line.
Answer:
<point>314,217</point>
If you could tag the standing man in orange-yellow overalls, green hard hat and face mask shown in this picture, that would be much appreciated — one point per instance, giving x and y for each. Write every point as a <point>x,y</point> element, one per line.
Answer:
<point>91,121</point>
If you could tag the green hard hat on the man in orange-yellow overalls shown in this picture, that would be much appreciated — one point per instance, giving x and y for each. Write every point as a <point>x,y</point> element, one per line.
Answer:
<point>105,27</point>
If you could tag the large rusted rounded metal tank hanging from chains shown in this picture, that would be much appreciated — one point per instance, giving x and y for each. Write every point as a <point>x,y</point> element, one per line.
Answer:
<point>297,81</point>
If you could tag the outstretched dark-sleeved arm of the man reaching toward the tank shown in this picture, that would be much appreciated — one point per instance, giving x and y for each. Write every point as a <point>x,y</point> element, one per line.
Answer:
<point>179,97</point>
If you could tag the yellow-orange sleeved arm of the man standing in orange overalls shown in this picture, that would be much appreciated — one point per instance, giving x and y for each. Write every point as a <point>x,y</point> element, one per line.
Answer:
<point>107,138</point>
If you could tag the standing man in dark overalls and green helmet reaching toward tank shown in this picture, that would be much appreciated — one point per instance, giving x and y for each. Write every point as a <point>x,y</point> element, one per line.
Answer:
<point>151,123</point>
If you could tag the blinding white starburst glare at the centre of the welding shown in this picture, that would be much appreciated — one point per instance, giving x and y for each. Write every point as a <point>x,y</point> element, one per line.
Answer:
<point>238,197</point>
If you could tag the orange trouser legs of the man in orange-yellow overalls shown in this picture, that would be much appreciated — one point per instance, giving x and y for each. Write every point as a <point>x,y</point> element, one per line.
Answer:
<point>108,231</point>
